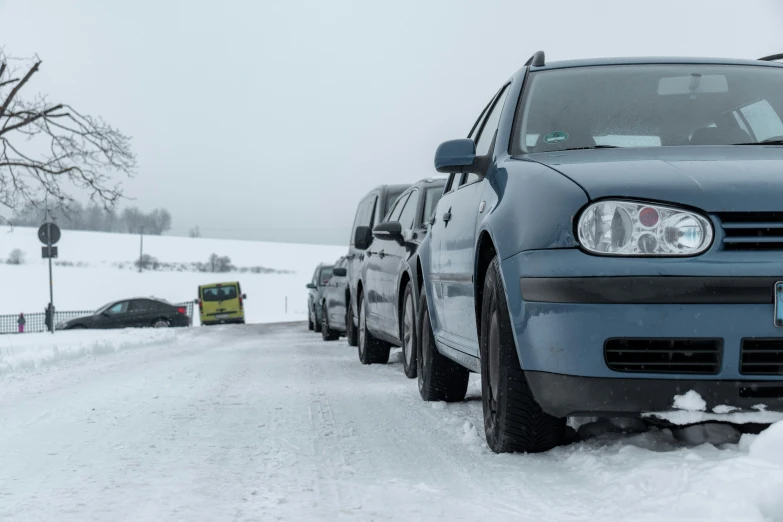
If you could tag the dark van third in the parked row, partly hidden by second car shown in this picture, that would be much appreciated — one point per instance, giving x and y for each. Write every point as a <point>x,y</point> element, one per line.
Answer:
<point>371,210</point>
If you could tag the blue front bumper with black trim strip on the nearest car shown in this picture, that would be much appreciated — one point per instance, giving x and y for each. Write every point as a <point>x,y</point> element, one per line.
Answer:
<point>565,305</point>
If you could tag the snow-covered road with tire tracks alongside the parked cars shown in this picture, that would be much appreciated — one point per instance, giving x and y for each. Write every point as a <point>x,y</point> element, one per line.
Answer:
<point>271,423</point>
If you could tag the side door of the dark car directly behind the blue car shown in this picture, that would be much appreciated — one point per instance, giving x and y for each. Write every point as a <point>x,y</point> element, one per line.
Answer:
<point>395,253</point>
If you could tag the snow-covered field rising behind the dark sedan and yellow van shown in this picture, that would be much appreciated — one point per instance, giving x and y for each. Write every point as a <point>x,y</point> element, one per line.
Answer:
<point>99,281</point>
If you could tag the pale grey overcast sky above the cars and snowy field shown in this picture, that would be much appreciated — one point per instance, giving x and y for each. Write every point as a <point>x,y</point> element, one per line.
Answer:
<point>270,120</point>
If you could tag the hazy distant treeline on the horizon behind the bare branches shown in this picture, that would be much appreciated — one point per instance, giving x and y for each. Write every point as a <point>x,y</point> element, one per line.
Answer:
<point>96,218</point>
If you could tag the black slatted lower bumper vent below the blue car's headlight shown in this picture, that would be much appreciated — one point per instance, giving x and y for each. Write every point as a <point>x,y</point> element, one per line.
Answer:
<point>695,356</point>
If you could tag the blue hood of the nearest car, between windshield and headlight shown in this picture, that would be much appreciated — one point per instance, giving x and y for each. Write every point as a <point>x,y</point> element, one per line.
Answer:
<point>714,179</point>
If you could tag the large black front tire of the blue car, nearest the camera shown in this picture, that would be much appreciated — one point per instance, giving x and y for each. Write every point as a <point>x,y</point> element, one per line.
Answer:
<point>513,420</point>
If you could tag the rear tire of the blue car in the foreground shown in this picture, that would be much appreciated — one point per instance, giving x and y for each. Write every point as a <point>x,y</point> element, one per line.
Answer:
<point>440,378</point>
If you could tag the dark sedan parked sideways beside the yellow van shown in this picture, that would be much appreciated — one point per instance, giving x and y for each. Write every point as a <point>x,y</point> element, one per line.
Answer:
<point>132,313</point>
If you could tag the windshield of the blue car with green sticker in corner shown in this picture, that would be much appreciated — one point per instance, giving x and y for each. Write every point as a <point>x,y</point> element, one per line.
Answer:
<point>649,106</point>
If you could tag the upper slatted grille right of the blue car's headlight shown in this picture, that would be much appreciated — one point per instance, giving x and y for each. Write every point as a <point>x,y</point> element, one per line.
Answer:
<point>752,230</point>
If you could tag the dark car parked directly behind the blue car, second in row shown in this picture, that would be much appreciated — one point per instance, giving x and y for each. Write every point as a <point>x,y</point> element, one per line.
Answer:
<point>387,280</point>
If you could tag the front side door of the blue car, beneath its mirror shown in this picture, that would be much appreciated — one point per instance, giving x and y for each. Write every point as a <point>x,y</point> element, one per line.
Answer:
<point>458,217</point>
